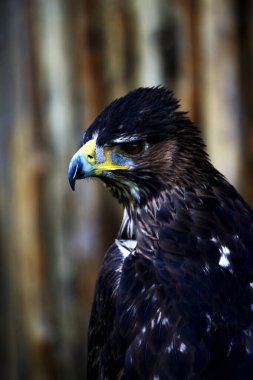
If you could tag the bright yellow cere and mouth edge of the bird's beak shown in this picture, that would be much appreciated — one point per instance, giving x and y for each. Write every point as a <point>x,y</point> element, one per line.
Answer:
<point>89,152</point>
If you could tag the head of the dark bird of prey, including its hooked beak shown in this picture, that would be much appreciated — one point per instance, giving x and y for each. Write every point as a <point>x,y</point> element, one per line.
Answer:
<point>139,145</point>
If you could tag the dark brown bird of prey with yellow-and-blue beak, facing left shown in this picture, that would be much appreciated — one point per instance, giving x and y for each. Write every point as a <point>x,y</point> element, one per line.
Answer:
<point>174,297</point>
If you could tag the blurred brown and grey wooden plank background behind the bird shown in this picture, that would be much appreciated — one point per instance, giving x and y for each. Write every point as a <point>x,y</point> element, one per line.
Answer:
<point>61,62</point>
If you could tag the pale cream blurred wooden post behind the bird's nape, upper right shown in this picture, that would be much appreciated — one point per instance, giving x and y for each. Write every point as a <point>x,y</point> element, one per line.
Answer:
<point>220,98</point>
